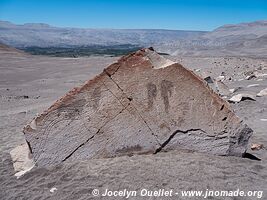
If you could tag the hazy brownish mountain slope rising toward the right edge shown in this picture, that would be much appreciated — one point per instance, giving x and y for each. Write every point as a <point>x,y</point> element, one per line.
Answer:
<point>245,39</point>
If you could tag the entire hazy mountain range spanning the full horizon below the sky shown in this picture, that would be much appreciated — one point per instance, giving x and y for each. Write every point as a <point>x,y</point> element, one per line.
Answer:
<point>245,39</point>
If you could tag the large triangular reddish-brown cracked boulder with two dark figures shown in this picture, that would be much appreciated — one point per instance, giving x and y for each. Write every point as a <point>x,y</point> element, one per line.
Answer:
<point>141,104</point>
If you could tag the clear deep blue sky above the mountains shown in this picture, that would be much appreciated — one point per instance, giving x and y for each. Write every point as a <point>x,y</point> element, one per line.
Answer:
<point>157,14</point>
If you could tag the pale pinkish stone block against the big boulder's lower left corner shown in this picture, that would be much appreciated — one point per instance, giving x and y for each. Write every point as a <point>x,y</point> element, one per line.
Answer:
<point>22,159</point>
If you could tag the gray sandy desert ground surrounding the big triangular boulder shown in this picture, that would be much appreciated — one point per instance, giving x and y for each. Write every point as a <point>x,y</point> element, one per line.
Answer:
<point>29,84</point>
